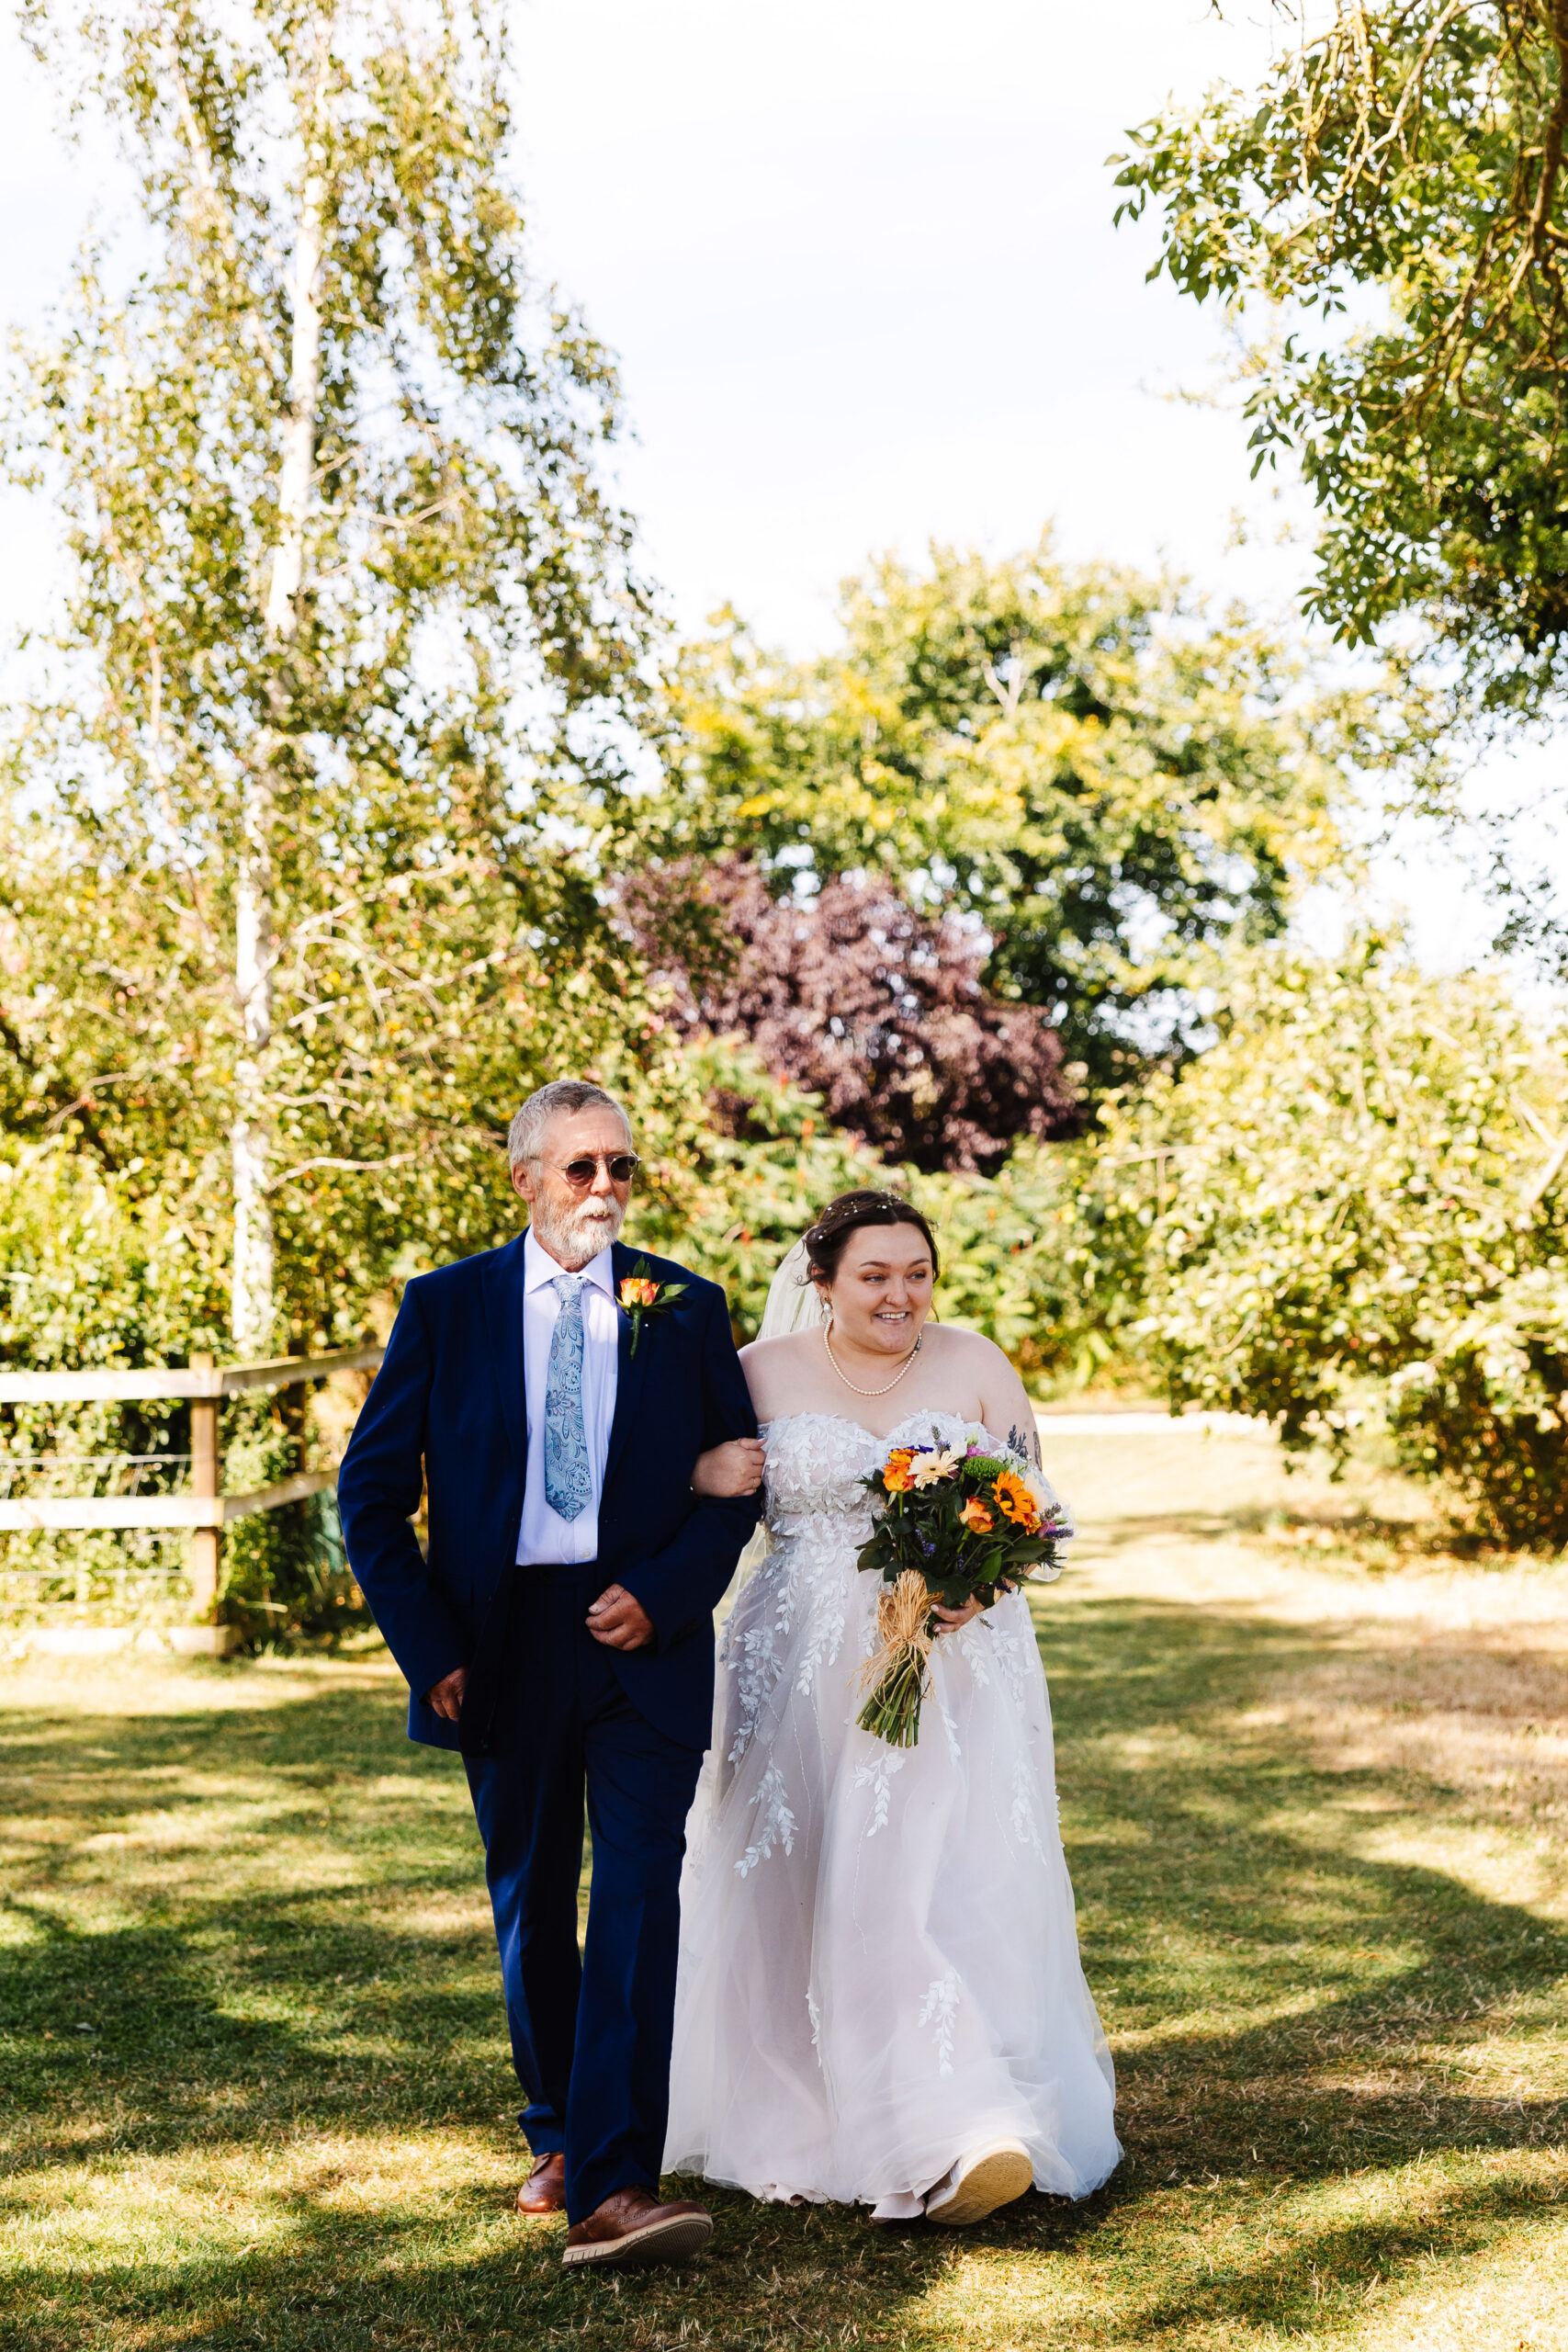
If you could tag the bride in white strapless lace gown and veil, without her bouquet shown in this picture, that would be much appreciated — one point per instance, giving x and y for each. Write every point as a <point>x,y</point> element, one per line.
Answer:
<point>880,1993</point>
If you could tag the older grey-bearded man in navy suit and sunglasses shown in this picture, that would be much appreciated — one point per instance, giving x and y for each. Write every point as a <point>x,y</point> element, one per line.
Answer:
<point>558,1631</point>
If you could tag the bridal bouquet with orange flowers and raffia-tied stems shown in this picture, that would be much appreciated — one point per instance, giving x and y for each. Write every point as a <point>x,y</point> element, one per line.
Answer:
<point>953,1525</point>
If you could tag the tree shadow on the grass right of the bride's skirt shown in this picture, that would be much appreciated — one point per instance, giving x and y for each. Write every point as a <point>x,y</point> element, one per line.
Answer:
<point>1224,1869</point>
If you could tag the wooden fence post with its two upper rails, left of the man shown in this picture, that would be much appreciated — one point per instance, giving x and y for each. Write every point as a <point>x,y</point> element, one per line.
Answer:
<point>206,1511</point>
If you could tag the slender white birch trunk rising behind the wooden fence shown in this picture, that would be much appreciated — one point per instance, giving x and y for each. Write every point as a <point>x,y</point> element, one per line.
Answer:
<point>253,1304</point>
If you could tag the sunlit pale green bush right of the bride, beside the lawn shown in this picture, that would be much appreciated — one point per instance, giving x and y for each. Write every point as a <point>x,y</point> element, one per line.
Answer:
<point>1355,1210</point>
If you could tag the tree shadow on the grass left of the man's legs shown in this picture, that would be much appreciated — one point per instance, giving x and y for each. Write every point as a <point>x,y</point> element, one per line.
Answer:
<point>269,1960</point>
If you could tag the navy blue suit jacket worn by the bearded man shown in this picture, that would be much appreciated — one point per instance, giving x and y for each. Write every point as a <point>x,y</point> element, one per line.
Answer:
<point>450,1403</point>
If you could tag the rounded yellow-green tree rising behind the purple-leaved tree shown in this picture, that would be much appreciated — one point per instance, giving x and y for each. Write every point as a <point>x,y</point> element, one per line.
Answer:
<point>1106,780</point>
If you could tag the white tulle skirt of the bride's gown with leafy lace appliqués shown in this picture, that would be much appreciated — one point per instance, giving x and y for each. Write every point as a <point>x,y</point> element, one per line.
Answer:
<point>878,1963</point>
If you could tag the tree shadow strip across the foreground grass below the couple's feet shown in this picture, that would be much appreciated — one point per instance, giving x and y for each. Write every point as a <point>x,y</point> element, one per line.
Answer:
<point>1125,2271</point>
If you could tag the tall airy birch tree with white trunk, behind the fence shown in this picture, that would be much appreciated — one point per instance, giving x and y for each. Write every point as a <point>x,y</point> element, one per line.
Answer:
<point>307,813</point>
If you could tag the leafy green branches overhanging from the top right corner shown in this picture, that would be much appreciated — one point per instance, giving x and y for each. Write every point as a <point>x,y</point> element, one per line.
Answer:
<point>1388,215</point>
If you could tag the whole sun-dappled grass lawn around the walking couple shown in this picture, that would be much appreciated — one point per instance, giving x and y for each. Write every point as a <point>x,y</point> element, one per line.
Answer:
<point>250,2031</point>
